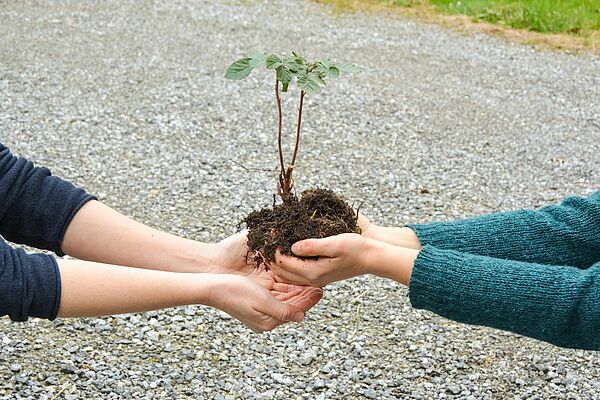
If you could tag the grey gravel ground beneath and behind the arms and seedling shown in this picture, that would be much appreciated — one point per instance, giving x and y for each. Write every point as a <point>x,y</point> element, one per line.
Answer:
<point>127,100</point>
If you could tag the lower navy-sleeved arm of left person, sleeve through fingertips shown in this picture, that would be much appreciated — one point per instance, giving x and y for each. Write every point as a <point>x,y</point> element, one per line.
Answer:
<point>37,285</point>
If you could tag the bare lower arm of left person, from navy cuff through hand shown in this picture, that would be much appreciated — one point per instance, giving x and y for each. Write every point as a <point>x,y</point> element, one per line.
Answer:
<point>94,289</point>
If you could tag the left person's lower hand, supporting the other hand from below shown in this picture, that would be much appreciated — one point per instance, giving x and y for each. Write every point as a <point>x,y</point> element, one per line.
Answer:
<point>252,304</point>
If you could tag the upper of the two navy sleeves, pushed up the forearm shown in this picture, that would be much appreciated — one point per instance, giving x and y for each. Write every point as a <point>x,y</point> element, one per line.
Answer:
<point>35,207</point>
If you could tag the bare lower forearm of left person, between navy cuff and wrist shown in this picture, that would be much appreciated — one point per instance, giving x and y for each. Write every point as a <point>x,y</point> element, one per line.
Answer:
<point>94,289</point>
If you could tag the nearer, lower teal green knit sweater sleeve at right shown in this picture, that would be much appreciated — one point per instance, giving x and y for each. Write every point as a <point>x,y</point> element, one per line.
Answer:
<point>556,304</point>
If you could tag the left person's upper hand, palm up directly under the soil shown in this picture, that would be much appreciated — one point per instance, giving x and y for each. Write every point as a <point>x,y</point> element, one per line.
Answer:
<point>231,259</point>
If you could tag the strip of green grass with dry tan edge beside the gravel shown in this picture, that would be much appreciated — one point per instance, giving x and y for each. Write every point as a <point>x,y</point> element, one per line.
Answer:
<point>572,25</point>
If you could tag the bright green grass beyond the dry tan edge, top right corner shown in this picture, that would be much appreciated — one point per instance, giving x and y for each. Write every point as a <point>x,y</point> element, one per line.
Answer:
<point>568,16</point>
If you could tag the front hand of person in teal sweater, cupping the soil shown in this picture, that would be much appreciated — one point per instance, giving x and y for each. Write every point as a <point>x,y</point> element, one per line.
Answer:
<point>340,257</point>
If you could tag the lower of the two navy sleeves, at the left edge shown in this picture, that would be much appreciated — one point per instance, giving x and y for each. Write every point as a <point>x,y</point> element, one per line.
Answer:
<point>29,284</point>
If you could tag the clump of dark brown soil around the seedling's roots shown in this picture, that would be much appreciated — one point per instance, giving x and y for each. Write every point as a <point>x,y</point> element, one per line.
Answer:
<point>318,213</point>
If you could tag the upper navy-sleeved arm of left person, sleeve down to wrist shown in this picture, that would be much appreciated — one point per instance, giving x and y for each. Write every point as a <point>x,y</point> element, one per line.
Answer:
<point>47,212</point>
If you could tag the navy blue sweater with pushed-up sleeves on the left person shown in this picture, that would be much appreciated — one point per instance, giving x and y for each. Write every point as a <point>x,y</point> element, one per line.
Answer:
<point>35,209</point>
